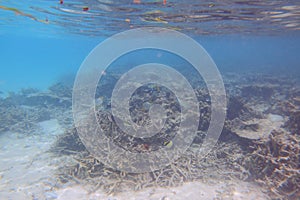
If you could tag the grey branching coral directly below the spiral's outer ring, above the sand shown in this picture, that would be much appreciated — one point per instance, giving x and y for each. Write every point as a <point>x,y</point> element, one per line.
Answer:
<point>224,161</point>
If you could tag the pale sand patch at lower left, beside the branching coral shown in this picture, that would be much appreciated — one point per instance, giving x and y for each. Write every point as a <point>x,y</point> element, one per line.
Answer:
<point>26,168</point>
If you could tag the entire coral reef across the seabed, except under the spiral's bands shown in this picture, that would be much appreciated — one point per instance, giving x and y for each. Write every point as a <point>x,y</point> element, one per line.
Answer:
<point>246,150</point>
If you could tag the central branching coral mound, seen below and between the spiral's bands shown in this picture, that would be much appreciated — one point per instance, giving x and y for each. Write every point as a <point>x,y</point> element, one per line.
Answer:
<point>225,160</point>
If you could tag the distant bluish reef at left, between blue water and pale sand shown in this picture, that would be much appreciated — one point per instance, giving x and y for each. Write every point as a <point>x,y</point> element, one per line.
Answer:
<point>22,110</point>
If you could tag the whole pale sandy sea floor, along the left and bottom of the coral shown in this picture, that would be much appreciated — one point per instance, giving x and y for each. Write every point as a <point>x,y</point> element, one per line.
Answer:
<point>28,171</point>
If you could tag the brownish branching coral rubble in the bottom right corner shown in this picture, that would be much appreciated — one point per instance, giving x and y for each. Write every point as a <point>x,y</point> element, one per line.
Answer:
<point>275,163</point>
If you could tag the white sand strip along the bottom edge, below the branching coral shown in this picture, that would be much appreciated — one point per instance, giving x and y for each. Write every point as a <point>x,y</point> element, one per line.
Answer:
<point>233,190</point>
